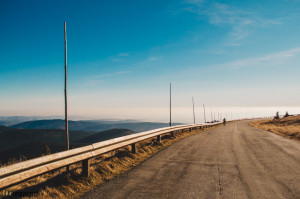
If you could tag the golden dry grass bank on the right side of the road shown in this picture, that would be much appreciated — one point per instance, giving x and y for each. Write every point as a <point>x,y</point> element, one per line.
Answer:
<point>287,126</point>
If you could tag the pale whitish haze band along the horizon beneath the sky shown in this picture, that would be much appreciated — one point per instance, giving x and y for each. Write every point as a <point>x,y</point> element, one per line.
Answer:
<point>179,114</point>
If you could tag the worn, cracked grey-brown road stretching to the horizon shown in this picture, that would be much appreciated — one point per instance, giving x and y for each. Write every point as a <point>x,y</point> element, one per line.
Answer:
<point>235,161</point>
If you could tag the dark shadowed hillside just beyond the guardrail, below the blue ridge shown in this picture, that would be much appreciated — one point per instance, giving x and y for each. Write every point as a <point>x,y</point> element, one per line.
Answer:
<point>22,144</point>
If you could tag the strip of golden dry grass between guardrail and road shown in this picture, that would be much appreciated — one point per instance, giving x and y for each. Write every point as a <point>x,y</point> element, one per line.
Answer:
<point>58,184</point>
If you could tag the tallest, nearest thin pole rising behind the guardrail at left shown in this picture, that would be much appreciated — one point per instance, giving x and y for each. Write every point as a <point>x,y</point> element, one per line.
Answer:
<point>66,97</point>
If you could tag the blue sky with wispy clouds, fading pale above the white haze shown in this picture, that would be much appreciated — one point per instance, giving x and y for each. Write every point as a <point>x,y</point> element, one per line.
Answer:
<point>123,54</point>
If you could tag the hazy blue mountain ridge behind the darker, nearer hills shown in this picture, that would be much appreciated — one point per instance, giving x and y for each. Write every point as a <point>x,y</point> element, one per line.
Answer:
<point>91,125</point>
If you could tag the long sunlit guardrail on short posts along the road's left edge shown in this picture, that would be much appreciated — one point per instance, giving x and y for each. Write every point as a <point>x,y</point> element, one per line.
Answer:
<point>22,171</point>
